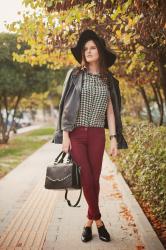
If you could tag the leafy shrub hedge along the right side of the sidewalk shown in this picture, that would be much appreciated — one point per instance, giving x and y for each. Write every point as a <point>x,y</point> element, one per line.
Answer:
<point>143,164</point>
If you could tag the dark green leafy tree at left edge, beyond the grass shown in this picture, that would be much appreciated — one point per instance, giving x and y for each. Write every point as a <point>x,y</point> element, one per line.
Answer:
<point>16,81</point>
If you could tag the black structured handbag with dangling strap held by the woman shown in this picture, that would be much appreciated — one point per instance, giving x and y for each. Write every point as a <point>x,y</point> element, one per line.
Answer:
<point>64,175</point>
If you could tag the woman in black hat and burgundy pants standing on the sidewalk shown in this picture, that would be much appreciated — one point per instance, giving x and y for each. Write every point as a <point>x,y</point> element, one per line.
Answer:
<point>84,135</point>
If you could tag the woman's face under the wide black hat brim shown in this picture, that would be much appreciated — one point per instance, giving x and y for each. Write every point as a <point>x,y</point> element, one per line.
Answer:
<point>91,52</point>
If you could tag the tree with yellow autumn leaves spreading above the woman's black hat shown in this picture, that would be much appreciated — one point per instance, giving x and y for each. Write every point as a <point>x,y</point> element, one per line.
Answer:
<point>134,29</point>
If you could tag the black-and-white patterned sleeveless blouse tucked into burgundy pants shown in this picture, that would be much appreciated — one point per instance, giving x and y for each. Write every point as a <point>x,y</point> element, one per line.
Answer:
<point>94,100</point>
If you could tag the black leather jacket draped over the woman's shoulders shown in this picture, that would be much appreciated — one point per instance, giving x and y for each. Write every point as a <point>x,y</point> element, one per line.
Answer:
<point>70,101</point>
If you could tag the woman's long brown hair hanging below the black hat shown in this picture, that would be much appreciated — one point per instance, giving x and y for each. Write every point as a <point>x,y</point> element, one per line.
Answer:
<point>102,63</point>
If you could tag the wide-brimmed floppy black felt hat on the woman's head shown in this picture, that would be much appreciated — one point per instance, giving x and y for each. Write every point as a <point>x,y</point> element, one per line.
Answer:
<point>87,35</point>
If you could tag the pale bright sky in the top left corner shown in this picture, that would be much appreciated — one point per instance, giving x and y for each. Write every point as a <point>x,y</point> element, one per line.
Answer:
<point>8,12</point>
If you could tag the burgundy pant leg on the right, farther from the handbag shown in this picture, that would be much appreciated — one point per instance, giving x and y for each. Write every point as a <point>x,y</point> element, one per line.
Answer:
<point>96,146</point>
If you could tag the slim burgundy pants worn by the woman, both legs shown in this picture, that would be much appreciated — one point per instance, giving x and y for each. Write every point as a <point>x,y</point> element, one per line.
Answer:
<point>88,145</point>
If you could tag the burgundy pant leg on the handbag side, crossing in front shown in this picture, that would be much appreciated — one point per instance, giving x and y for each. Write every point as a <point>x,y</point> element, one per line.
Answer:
<point>79,153</point>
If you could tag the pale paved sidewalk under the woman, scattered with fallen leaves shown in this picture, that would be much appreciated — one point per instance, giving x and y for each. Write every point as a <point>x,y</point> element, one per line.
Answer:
<point>32,217</point>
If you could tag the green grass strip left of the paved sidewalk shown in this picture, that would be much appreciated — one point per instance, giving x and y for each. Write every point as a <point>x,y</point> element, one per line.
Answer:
<point>21,146</point>
